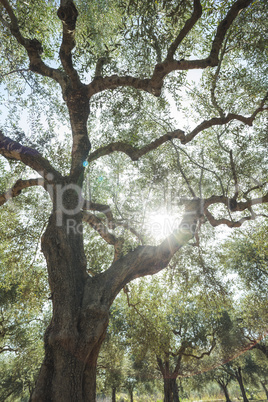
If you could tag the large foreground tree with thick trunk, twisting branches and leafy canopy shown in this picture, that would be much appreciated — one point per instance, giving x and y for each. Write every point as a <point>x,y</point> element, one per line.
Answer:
<point>128,53</point>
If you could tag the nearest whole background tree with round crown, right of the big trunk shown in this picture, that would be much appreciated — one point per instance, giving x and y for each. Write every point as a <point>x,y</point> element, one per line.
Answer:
<point>185,329</point>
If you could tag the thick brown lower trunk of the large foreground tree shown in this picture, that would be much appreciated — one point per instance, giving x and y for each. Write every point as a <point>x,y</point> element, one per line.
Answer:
<point>79,322</point>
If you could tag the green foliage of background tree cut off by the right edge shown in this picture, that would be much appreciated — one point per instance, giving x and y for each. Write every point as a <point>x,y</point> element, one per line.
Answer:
<point>245,257</point>
